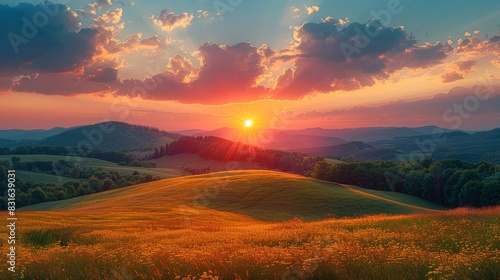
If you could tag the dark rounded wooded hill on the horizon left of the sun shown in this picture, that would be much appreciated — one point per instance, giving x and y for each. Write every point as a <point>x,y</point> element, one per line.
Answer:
<point>121,137</point>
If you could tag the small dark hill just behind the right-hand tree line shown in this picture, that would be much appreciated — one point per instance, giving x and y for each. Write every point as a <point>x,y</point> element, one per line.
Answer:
<point>355,150</point>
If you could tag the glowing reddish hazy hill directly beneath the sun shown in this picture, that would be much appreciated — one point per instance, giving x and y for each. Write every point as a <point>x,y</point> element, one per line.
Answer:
<point>274,139</point>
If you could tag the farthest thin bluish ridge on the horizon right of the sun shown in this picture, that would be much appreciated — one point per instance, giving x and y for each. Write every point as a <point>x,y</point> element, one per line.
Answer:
<point>367,134</point>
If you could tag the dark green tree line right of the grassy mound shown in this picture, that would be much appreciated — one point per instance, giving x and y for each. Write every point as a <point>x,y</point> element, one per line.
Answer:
<point>449,182</point>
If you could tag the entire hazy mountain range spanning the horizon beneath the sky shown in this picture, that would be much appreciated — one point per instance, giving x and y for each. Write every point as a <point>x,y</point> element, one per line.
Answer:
<point>374,143</point>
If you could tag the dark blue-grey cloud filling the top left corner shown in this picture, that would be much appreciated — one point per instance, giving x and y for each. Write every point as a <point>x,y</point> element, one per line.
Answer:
<point>58,46</point>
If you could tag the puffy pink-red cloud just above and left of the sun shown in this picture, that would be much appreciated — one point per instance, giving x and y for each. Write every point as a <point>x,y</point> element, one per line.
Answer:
<point>227,74</point>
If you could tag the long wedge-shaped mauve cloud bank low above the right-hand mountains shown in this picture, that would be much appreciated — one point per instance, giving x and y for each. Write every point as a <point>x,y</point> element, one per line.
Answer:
<point>441,109</point>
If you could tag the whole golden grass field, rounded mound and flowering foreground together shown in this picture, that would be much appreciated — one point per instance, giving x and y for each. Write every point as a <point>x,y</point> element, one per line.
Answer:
<point>253,225</point>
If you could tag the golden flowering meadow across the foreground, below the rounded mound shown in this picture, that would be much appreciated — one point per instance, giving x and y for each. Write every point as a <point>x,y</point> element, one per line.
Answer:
<point>454,244</point>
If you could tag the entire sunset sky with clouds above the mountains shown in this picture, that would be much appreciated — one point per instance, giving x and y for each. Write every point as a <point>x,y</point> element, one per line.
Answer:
<point>283,64</point>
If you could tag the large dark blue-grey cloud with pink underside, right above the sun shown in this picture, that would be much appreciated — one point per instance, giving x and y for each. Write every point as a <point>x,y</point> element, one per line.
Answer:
<point>333,56</point>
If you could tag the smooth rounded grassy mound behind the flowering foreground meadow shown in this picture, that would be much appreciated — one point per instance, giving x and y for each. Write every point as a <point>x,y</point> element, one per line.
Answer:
<point>262,195</point>
